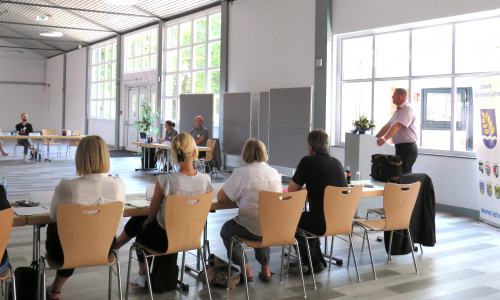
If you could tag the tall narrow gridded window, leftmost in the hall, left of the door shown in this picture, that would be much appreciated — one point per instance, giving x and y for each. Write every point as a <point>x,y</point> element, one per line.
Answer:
<point>103,81</point>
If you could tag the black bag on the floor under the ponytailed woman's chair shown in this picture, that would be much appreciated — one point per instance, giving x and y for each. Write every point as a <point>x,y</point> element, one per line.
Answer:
<point>164,274</point>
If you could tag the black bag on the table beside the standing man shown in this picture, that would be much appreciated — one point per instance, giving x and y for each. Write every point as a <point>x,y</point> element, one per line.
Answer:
<point>387,168</point>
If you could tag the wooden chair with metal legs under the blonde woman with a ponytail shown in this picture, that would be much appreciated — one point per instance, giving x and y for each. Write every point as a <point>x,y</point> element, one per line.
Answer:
<point>185,218</point>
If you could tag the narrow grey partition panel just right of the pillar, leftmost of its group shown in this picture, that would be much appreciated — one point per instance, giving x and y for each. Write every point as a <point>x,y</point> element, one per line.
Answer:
<point>237,121</point>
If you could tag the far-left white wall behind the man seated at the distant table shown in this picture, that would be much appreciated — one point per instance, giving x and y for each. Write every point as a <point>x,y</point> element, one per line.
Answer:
<point>21,86</point>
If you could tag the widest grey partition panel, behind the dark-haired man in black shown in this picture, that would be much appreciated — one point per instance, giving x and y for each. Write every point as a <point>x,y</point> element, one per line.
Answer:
<point>290,120</point>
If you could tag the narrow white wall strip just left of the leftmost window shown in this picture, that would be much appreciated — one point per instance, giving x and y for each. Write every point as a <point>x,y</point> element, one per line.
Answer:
<point>76,62</point>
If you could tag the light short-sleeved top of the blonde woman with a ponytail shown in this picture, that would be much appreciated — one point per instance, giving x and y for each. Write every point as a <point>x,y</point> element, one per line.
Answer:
<point>182,185</point>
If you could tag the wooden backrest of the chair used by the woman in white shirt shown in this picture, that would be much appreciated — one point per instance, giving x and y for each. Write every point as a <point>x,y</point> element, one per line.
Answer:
<point>279,215</point>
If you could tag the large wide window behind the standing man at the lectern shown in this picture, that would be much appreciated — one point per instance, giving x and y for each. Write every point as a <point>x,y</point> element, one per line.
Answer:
<point>437,64</point>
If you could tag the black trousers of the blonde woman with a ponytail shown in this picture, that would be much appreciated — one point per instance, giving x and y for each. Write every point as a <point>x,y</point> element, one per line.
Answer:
<point>152,236</point>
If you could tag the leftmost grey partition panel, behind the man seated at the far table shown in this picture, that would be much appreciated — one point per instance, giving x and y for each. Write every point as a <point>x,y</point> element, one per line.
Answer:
<point>192,105</point>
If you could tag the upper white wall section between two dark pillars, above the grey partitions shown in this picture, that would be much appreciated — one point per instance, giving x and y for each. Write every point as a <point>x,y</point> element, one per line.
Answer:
<point>271,44</point>
